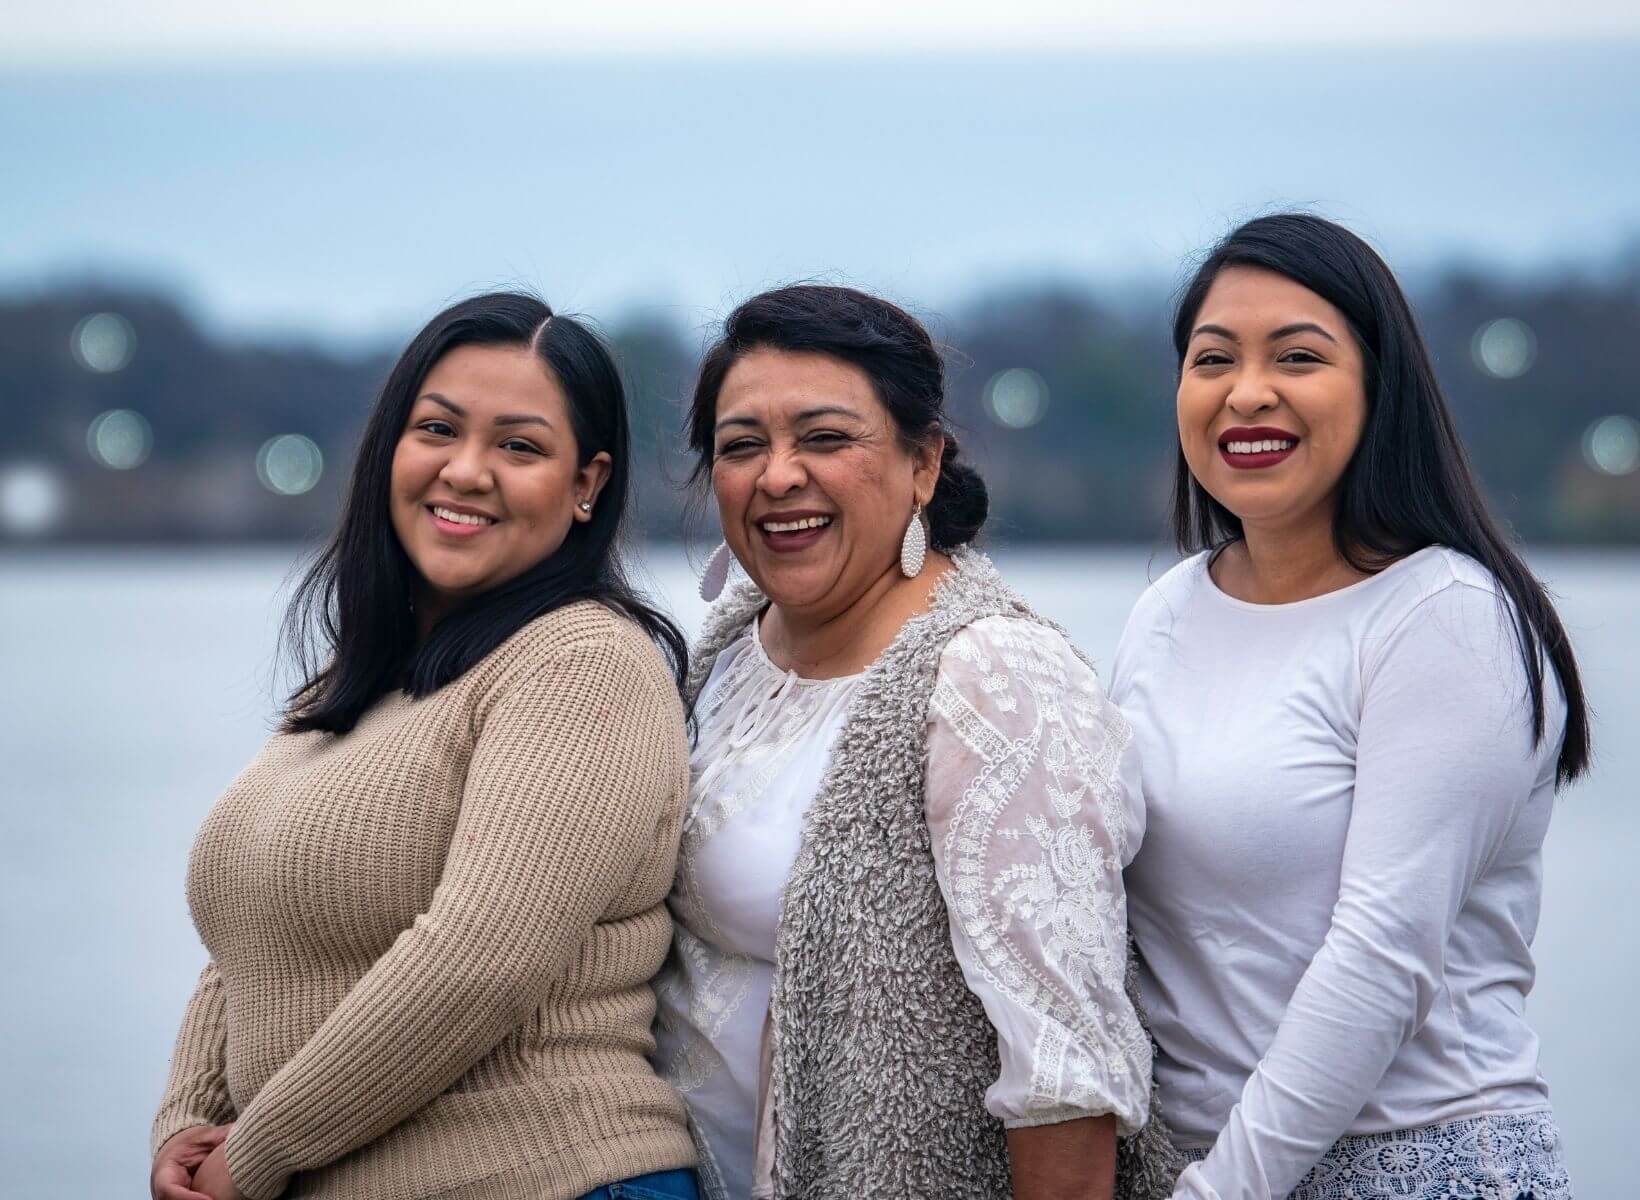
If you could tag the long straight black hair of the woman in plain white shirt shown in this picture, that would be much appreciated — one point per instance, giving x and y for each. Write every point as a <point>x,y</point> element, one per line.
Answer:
<point>1410,483</point>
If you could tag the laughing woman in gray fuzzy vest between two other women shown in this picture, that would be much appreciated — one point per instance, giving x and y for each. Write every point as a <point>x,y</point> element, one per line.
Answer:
<point>901,965</point>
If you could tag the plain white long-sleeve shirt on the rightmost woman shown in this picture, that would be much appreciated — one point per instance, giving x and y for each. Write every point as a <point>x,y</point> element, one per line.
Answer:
<point>1341,878</point>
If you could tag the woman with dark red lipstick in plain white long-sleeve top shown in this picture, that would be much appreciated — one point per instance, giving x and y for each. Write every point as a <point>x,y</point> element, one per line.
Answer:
<point>1354,707</point>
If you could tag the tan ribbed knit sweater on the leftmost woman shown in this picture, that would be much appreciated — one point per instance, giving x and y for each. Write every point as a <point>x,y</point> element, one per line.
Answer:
<point>432,939</point>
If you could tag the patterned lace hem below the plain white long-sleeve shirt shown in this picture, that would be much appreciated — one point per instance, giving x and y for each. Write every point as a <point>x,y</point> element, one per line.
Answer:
<point>1501,1157</point>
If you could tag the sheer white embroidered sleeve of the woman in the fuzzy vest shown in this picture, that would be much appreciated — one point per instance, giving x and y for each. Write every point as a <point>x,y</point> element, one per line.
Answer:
<point>1034,809</point>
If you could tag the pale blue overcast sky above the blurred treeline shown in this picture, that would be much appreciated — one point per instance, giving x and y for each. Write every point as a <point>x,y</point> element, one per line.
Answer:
<point>344,171</point>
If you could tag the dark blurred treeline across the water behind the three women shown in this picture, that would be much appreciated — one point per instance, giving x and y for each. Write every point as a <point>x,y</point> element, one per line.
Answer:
<point>1095,468</point>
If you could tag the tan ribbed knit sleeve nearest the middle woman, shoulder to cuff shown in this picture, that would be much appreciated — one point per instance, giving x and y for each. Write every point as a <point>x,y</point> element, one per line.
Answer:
<point>549,835</point>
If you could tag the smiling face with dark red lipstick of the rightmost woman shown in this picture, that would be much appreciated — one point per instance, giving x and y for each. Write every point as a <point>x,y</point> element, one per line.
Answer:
<point>1272,399</point>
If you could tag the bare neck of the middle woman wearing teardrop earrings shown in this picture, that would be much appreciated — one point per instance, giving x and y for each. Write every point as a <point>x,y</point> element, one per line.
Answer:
<point>826,643</point>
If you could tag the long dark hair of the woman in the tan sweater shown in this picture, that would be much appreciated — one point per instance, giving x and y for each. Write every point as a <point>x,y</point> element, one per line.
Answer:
<point>350,627</point>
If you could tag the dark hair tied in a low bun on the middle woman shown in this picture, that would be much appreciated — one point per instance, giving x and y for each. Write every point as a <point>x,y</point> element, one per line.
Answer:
<point>890,347</point>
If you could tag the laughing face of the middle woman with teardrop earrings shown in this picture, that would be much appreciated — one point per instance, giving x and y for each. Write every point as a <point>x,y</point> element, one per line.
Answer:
<point>813,481</point>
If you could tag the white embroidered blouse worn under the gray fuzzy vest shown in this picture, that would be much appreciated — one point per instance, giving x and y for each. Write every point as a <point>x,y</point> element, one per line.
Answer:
<point>1034,807</point>
